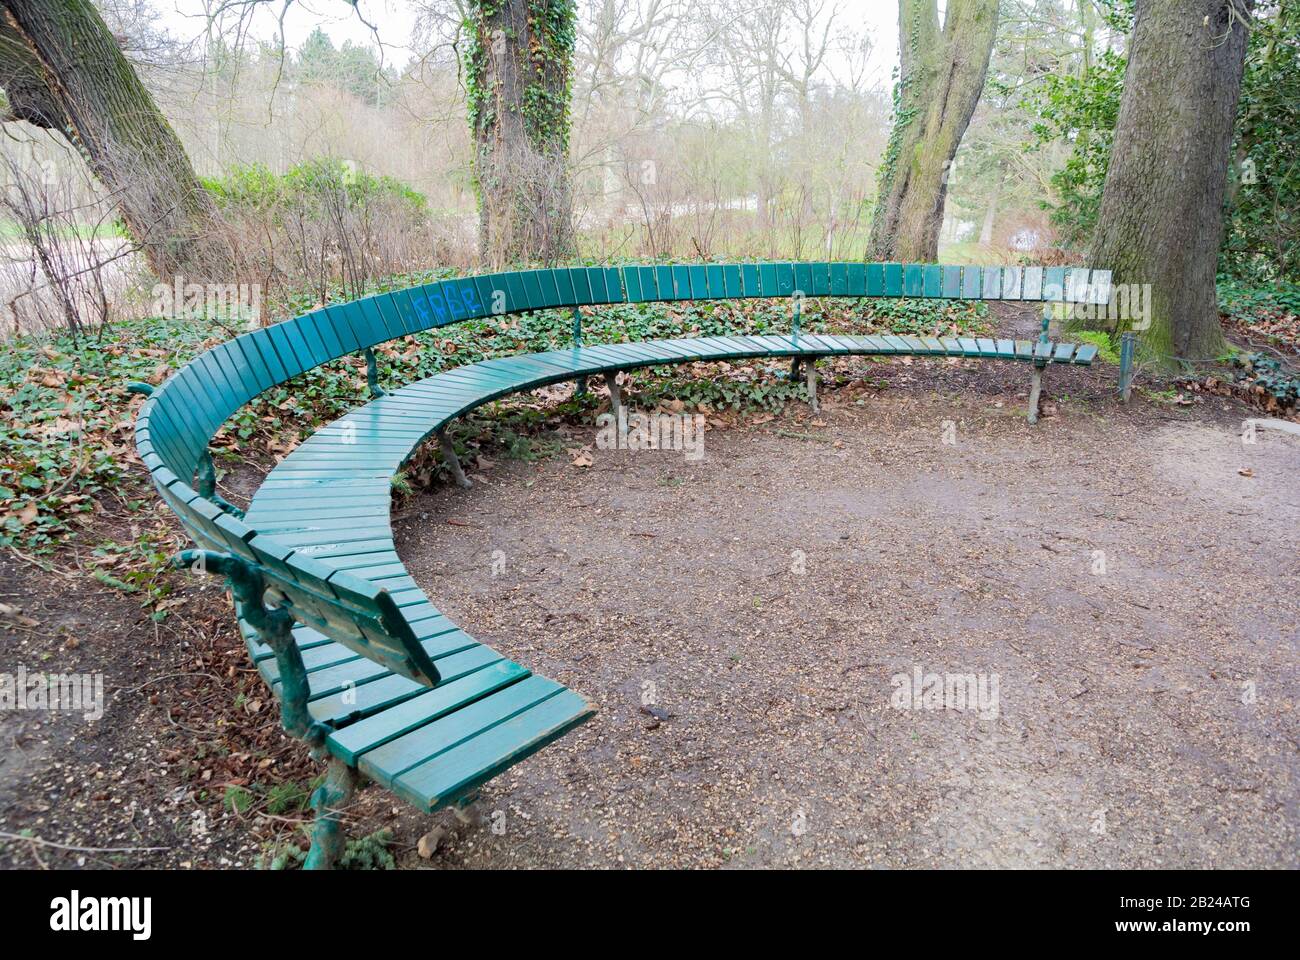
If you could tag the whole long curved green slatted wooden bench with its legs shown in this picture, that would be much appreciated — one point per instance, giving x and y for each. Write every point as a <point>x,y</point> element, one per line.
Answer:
<point>367,671</point>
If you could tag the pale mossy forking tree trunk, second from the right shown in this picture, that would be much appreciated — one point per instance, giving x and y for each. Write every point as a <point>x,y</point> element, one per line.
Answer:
<point>939,85</point>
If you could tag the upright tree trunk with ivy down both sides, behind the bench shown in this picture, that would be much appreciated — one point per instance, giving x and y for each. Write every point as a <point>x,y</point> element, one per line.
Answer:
<point>519,71</point>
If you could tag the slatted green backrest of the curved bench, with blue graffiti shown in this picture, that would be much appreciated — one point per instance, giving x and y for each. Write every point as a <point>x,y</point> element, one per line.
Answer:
<point>180,420</point>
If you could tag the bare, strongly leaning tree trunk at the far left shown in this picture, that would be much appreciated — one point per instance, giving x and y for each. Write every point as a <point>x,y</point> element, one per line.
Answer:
<point>62,70</point>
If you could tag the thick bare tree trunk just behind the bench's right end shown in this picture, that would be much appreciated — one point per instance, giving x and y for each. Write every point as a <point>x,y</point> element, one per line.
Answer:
<point>1162,217</point>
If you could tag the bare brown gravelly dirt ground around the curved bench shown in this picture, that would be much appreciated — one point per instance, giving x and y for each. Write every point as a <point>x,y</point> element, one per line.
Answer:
<point>1126,577</point>
